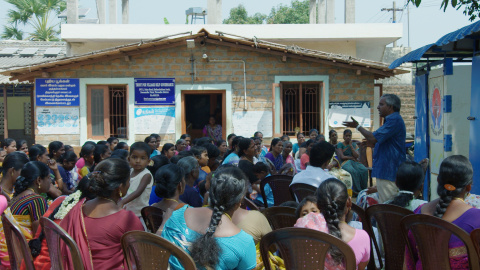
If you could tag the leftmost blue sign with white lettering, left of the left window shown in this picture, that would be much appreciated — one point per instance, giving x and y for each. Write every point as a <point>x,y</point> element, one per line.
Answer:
<point>57,92</point>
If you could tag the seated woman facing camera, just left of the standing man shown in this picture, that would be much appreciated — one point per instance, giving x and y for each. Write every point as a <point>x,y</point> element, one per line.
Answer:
<point>347,152</point>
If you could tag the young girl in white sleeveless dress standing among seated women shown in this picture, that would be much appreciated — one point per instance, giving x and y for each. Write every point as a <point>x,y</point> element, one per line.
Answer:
<point>140,179</point>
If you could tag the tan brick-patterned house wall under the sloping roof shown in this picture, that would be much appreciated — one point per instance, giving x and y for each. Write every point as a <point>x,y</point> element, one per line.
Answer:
<point>261,70</point>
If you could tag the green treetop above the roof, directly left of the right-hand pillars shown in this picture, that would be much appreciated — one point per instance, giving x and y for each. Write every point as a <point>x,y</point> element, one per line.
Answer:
<point>297,12</point>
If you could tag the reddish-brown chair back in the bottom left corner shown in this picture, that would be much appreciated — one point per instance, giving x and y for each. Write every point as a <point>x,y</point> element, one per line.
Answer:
<point>17,246</point>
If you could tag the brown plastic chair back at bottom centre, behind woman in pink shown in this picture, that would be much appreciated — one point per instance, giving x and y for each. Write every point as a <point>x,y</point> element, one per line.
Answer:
<point>302,248</point>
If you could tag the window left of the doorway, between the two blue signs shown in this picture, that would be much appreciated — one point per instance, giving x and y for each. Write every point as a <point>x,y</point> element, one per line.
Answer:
<point>107,111</point>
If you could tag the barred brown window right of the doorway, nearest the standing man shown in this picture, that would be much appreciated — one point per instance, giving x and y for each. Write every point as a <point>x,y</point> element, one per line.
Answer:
<point>300,107</point>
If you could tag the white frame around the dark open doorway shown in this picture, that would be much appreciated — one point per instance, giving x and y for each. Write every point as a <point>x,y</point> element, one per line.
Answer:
<point>181,89</point>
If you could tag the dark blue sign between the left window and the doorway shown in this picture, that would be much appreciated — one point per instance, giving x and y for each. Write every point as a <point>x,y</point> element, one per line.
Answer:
<point>155,91</point>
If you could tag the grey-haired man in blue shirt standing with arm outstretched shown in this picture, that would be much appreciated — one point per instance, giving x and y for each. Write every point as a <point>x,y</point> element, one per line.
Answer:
<point>389,142</point>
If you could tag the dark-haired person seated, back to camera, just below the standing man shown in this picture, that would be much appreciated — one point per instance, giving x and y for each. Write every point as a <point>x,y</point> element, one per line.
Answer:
<point>409,181</point>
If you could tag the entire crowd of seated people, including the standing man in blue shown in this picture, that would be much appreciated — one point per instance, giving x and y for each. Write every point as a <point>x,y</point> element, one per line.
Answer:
<point>97,196</point>
